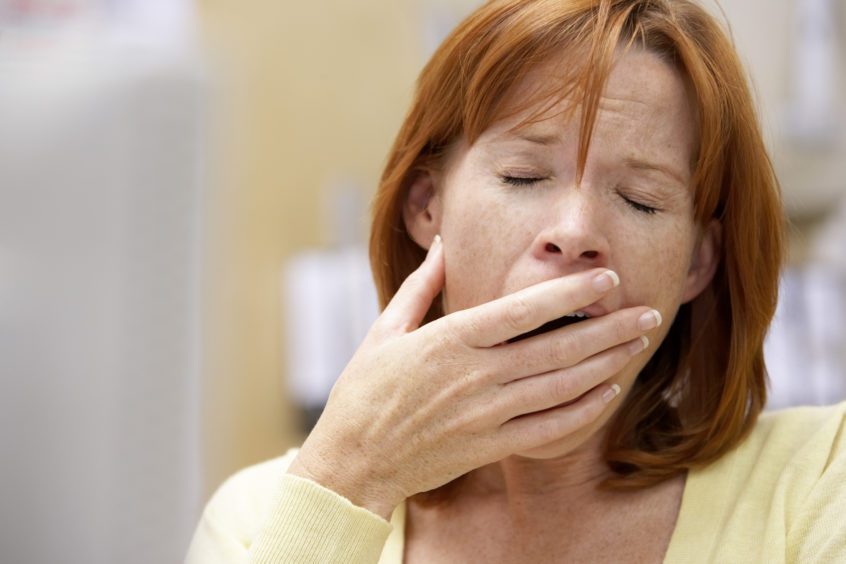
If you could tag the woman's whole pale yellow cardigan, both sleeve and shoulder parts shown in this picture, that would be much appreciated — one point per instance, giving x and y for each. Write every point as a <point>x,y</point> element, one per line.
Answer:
<point>779,497</point>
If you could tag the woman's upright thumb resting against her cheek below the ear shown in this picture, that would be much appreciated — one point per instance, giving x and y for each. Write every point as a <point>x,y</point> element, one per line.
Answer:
<point>409,305</point>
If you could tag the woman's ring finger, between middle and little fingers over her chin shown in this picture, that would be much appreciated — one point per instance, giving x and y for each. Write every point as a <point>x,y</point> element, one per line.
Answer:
<point>545,391</point>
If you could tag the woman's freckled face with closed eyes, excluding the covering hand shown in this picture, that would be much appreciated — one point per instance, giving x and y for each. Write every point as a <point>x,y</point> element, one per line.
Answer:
<point>511,215</point>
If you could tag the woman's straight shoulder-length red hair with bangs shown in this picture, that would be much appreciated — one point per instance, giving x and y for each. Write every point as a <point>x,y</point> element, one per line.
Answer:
<point>705,386</point>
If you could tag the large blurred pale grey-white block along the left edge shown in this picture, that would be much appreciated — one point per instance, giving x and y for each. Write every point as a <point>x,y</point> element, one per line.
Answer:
<point>99,331</point>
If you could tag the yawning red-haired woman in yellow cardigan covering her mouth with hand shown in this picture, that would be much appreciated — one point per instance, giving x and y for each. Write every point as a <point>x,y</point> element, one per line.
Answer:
<point>577,241</point>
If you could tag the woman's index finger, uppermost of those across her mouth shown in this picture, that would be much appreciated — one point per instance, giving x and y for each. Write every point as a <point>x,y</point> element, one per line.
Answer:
<point>502,319</point>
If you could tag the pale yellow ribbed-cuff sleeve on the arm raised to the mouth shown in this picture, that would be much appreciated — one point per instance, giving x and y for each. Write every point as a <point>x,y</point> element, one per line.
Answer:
<point>263,515</point>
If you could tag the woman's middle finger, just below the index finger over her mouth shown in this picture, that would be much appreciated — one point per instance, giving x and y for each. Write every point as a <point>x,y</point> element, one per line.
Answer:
<point>572,344</point>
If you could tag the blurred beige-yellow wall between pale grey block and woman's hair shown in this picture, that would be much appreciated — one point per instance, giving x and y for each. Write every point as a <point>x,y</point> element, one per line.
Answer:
<point>307,93</point>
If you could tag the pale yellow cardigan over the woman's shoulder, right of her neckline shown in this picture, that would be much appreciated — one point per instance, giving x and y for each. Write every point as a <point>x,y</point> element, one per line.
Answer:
<point>778,496</point>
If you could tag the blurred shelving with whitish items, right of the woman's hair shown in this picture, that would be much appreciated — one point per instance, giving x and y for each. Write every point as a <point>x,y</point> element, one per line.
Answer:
<point>796,62</point>
